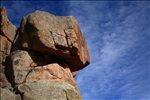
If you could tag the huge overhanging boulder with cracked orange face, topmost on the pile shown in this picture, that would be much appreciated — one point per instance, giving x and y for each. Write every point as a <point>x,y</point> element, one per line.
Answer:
<point>57,35</point>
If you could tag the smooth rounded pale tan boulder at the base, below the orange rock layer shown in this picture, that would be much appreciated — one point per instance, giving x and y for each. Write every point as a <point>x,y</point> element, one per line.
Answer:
<point>51,90</point>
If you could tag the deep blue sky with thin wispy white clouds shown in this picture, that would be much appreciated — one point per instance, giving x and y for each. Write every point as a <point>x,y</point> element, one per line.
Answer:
<point>118,39</point>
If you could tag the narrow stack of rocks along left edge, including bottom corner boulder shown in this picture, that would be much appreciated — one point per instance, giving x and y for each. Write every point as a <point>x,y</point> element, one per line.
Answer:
<point>7,33</point>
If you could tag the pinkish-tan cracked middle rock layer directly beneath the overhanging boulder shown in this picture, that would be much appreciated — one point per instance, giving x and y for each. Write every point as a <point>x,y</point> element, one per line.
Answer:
<point>27,68</point>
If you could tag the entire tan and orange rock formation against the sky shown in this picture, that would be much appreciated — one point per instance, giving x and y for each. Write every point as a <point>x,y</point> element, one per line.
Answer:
<point>39,60</point>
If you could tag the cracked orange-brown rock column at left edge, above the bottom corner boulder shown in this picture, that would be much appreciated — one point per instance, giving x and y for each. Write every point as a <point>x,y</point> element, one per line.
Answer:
<point>7,33</point>
